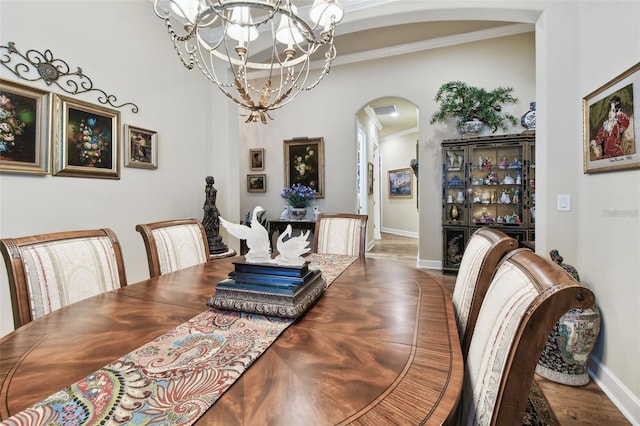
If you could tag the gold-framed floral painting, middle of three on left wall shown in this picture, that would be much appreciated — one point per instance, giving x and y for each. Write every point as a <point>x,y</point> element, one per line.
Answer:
<point>86,142</point>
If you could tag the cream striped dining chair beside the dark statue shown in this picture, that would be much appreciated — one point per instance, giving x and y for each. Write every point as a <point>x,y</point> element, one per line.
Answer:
<point>174,244</point>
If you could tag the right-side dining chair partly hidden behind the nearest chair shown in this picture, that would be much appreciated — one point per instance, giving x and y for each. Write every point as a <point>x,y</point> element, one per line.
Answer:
<point>484,250</point>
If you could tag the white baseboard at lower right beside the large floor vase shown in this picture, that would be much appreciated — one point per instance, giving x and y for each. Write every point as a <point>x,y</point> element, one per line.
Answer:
<point>616,391</point>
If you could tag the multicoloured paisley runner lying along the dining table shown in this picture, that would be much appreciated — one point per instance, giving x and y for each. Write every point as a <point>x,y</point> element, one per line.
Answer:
<point>175,378</point>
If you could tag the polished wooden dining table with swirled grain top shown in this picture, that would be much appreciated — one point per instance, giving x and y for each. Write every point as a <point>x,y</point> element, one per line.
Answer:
<point>380,346</point>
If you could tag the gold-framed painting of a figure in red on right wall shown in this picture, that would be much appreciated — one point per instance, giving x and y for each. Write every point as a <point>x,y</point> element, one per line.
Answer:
<point>612,124</point>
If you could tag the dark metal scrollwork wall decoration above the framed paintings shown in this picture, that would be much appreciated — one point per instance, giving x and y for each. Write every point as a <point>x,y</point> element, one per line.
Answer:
<point>34,66</point>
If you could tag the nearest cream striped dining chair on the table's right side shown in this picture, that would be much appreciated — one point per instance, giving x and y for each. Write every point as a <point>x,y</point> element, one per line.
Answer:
<point>526,297</point>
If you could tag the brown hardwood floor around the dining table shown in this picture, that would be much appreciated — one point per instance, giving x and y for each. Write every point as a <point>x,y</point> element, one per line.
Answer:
<point>572,405</point>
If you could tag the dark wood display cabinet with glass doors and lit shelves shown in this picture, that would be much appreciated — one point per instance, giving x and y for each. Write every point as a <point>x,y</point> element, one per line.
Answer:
<point>486,181</point>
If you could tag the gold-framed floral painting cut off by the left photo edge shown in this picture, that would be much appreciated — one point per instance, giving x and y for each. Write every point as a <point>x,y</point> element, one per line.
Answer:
<point>24,129</point>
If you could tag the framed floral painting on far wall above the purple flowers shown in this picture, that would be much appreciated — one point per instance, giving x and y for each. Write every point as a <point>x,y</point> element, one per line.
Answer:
<point>304,163</point>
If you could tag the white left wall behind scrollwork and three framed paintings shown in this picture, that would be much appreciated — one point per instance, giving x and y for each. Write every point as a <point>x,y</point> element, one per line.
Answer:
<point>126,51</point>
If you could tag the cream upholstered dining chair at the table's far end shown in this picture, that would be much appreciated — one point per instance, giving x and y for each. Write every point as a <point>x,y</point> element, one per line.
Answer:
<point>340,233</point>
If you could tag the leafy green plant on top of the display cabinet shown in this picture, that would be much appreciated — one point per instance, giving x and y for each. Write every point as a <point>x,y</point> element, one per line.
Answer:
<point>471,104</point>
